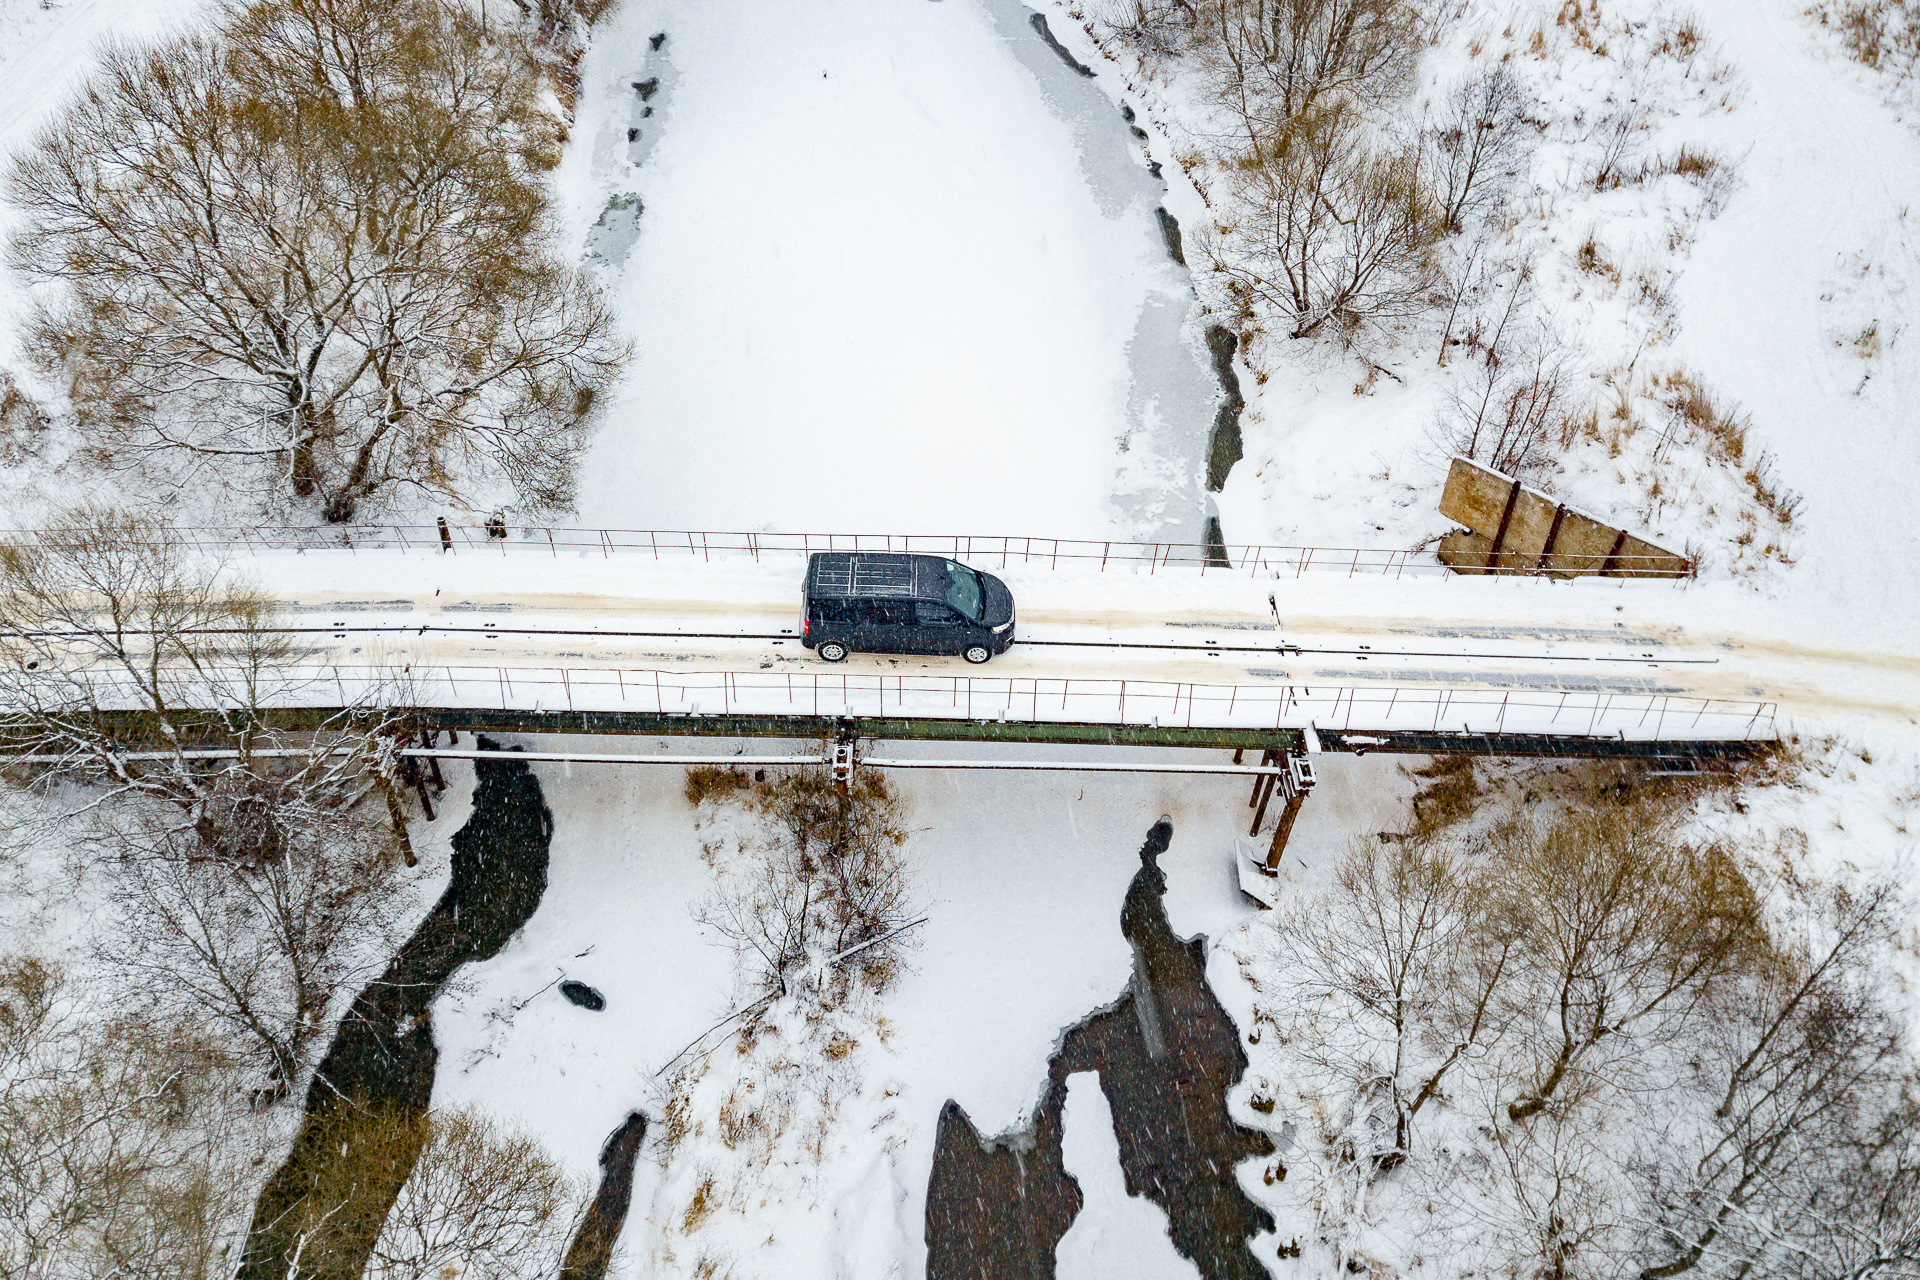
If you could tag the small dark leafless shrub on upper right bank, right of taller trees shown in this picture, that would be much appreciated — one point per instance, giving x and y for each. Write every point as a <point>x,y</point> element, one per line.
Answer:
<point>1477,143</point>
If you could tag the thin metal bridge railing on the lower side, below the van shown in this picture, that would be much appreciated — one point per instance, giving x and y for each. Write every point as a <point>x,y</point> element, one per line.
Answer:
<point>825,696</point>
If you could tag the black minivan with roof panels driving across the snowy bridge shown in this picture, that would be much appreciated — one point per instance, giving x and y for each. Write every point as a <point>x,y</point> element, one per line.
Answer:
<point>886,602</point>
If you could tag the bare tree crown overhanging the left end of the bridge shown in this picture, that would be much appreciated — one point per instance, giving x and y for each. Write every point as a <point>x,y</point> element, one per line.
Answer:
<point>122,653</point>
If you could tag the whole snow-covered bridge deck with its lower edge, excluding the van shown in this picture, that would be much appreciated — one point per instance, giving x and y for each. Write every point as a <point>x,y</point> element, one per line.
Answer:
<point>617,632</point>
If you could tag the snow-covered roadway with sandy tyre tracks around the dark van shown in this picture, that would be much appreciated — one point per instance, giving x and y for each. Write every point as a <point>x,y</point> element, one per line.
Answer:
<point>732,625</point>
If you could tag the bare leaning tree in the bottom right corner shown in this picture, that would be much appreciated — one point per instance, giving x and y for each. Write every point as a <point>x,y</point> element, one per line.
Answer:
<point>1810,1164</point>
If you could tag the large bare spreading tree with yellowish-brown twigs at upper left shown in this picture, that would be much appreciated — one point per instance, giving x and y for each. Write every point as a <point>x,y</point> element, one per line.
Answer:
<point>310,252</point>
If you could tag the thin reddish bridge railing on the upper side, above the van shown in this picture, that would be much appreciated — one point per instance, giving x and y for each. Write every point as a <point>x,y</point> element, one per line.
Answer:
<point>997,552</point>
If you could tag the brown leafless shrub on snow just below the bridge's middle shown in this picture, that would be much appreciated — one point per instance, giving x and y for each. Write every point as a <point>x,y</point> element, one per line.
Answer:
<point>825,874</point>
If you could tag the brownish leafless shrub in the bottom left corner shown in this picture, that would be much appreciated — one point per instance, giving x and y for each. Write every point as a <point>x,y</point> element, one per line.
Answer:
<point>116,1156</point>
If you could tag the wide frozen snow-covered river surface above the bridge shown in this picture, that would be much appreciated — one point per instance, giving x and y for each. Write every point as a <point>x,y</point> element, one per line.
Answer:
<point>890,266</point>
